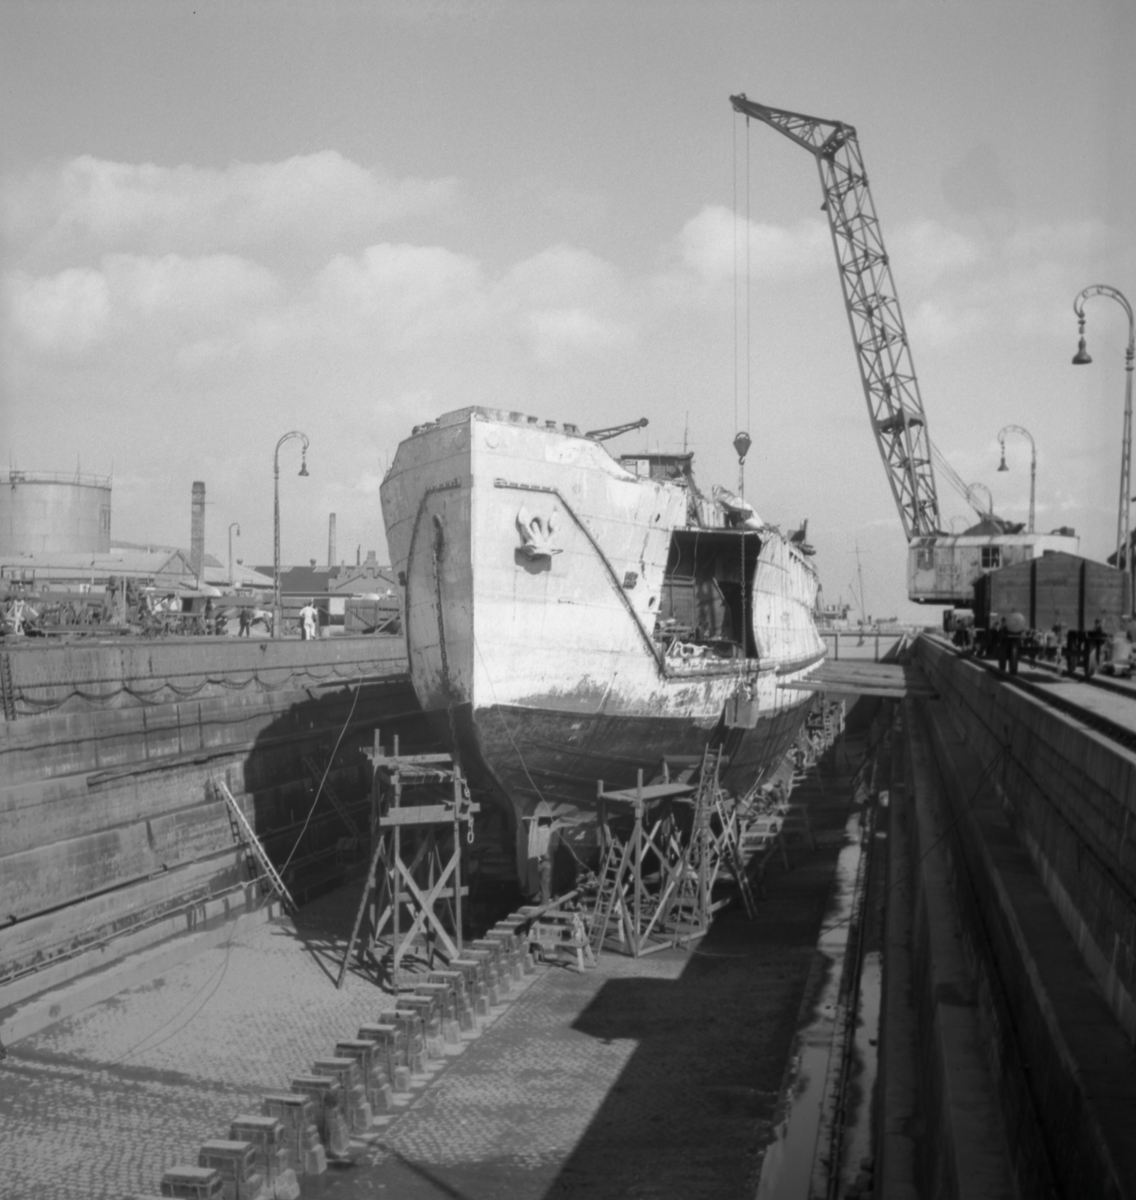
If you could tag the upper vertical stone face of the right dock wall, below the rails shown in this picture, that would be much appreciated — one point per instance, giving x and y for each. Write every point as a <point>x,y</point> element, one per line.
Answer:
<point>1072,797</point>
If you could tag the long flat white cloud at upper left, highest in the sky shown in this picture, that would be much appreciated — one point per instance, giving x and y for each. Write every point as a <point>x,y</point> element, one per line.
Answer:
<point>320,197</point>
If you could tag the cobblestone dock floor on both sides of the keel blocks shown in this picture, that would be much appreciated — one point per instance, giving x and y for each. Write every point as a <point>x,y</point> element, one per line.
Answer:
<point>652,1078</point>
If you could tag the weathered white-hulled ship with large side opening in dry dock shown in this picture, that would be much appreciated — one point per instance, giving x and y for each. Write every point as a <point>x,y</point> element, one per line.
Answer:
<point>572,617</point>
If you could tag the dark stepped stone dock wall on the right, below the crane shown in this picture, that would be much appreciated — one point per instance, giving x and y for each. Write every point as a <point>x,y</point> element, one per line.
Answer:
<point>1007,1063</point>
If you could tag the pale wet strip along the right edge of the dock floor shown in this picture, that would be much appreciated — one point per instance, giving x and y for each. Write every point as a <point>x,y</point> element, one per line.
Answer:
<point>788,1169</point>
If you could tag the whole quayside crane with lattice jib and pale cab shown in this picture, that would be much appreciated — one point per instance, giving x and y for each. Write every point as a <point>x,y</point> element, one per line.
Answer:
<point>942,567</point>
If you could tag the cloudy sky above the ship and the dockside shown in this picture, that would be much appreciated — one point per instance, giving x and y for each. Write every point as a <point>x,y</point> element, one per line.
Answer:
<point>220,224</point>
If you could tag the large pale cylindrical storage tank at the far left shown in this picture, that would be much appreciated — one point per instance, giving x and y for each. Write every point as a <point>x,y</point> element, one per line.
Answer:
<point>52,514</point>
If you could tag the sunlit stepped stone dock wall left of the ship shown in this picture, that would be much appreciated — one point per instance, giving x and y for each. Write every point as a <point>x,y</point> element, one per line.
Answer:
<point>109,818</point>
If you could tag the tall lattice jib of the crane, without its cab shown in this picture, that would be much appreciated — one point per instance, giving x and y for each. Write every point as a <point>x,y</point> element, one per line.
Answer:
<point>883,355</point>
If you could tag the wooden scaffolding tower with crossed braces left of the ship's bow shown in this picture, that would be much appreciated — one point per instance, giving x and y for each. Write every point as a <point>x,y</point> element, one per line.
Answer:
<point>412,902</point>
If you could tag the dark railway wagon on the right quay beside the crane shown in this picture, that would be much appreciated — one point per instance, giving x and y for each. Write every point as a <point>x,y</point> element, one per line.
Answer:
<point>1051,605</point>
